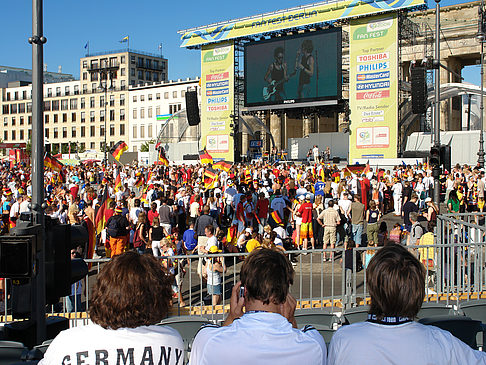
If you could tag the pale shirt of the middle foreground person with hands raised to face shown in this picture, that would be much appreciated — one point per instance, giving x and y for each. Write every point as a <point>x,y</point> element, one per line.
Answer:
<point>259,338</point>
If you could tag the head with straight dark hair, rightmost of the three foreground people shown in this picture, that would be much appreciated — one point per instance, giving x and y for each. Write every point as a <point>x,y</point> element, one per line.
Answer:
<point>396,282</point>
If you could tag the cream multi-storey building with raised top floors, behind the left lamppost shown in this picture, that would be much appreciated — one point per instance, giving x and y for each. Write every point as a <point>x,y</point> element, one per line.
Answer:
<point>84,113</point>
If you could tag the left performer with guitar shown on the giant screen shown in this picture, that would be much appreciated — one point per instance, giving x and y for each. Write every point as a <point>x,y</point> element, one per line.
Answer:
<point>276,76</point>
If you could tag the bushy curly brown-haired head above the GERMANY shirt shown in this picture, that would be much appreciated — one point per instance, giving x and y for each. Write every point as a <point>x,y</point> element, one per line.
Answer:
<point>131,291</point>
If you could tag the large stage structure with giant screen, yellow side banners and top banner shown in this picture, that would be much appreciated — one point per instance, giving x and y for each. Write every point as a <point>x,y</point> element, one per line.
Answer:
<point>290,61</point>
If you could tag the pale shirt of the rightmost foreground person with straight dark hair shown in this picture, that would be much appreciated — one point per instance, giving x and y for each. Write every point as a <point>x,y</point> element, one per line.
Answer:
<point>409,343</point>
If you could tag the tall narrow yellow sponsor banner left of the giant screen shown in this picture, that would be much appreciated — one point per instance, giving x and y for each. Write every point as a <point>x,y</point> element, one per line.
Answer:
<point>217,89</point>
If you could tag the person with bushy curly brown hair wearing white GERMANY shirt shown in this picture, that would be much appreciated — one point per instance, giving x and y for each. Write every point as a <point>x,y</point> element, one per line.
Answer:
<point>132,294</point>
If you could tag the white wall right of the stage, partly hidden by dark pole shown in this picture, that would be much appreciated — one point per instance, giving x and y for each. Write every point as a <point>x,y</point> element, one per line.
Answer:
<point>464,145</point>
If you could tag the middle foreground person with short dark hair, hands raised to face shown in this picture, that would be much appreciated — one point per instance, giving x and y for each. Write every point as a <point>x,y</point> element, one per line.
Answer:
<point>267,331</point>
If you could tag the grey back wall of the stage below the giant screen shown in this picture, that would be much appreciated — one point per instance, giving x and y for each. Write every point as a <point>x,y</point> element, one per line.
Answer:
<point>338,142</point>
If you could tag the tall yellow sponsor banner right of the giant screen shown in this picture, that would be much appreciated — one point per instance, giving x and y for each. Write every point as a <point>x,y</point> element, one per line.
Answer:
<point>373,87</point>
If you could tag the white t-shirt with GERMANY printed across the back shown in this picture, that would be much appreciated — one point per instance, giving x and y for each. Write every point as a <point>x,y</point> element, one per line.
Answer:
<point>88,344</point>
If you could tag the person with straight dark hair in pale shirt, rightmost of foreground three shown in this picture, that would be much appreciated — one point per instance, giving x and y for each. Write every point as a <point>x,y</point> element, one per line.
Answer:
<point>396,283</point>
